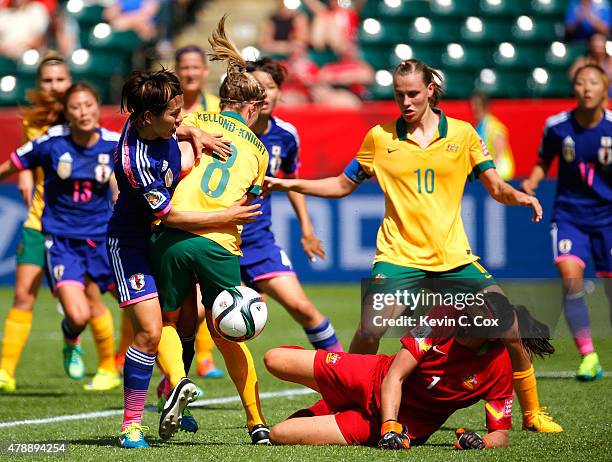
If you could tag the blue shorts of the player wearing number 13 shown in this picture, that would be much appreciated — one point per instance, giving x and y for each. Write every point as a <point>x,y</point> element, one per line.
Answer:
<point>70,260</point>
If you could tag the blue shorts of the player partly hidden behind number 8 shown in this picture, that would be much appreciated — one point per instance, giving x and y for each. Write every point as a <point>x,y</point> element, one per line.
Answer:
<point>266,262</point>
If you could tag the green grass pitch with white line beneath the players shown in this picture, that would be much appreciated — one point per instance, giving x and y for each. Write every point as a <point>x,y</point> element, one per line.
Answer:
<point>43,391</point>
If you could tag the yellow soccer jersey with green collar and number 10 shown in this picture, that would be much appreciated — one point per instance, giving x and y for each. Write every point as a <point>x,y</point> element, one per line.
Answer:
<point>422,227</point>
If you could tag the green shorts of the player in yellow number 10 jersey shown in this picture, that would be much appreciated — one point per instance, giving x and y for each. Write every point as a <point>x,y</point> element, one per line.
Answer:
<point>473,277</point>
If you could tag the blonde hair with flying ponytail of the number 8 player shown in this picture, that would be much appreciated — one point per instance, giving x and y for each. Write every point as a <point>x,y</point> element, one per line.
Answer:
<point>239,86</point>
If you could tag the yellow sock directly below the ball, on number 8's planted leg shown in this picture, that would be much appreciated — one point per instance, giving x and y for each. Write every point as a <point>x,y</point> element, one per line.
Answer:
<point>241,368</point>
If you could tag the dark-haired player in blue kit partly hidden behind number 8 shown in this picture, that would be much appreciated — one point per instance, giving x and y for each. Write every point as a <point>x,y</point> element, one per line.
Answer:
<point>263,265</point>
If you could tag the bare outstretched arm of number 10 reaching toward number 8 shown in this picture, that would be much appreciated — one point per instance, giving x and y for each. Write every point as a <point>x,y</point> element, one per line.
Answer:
<point>331,187</point>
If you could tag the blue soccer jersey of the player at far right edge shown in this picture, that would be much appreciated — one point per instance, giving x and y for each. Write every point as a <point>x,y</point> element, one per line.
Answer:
<point>584,186</point>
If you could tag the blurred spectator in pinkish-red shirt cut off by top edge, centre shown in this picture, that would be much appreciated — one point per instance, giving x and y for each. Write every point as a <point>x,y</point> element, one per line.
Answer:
<point>335,24</point>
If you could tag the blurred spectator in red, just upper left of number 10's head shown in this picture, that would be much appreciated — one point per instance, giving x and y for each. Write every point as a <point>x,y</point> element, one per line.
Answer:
<point>344,83</point>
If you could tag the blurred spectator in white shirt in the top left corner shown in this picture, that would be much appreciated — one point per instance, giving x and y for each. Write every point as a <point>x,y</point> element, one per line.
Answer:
<point>23,25</point>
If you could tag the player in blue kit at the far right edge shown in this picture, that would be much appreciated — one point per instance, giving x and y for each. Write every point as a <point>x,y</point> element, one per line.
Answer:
<point>582,215</point>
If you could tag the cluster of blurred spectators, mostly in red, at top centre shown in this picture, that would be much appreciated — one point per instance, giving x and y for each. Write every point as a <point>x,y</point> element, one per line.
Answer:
<point>318,46</point>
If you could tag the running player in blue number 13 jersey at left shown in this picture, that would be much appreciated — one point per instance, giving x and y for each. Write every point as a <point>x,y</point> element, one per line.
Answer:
<point>76,162</point>
